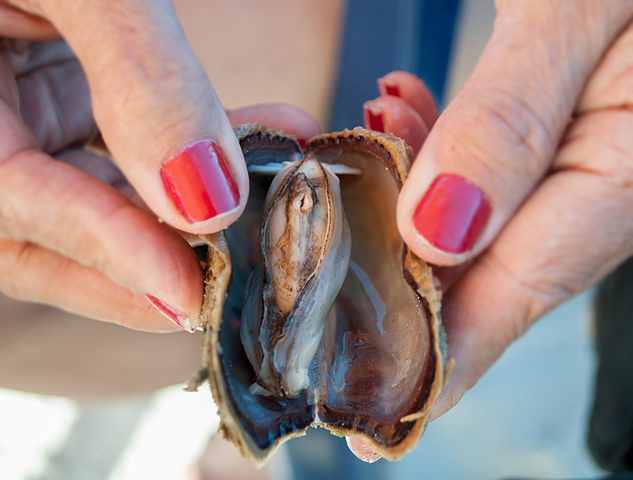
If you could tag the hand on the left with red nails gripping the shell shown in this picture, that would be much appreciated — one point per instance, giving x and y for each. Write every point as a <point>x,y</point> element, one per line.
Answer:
<point>73,232</point>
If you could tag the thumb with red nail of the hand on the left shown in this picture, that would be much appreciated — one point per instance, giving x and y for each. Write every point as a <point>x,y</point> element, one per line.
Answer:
<point>156,109</point>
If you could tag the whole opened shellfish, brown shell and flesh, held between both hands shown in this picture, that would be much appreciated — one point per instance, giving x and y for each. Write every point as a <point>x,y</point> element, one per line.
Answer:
<point>313,331</point>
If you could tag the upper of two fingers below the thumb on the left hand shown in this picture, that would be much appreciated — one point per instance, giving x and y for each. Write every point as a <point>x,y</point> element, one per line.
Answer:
<point>64,210</point>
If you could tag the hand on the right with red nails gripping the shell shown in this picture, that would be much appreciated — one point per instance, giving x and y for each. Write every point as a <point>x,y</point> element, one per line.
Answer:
<point>540,142</point>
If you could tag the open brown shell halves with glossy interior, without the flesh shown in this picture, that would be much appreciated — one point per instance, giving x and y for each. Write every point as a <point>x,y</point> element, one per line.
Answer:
<point>379,363</point>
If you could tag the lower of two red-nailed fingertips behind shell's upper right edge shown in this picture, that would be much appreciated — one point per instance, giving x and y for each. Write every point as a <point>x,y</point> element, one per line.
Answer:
<point>394,115</point>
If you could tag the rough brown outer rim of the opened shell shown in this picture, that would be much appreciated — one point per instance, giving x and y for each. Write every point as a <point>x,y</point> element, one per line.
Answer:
<point>395,156</point>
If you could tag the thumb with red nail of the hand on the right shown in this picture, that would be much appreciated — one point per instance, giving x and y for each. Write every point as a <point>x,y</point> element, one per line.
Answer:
<point>496,140</point>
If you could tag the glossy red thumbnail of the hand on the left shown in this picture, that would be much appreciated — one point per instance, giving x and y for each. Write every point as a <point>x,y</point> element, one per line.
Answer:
<point>199,182</point>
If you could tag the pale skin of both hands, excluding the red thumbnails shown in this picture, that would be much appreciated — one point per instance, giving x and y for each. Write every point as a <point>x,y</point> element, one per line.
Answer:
<point>543,127</point>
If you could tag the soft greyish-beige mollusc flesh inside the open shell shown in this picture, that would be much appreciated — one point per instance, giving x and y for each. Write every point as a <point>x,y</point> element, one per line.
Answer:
<point>304,255</point>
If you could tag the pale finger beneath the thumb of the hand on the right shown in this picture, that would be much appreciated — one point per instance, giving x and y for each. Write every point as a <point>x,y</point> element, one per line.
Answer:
<point>571,232</point>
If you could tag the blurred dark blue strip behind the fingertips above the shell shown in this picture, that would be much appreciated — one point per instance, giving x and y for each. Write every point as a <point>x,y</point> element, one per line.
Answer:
<point>380,36</point>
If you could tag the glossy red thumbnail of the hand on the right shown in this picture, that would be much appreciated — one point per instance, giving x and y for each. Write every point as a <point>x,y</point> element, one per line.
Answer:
<point>451,214</point>
